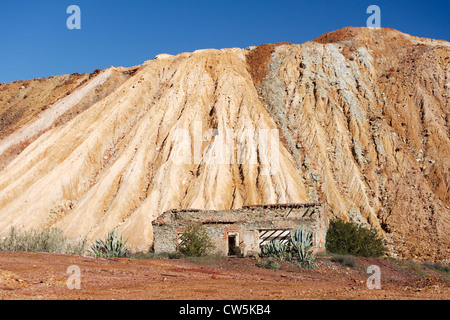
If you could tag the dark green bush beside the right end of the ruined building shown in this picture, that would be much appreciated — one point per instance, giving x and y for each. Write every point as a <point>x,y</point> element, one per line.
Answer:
<point>348,238</point>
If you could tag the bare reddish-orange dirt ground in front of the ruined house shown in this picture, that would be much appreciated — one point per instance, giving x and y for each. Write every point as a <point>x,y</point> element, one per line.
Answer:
<point>40,276</point>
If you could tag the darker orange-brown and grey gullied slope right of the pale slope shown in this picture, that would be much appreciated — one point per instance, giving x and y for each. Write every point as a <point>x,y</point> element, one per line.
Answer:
<point>365,114</point>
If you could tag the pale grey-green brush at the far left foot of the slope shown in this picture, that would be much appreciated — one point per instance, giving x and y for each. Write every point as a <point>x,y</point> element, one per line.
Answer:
<point>51,240</point>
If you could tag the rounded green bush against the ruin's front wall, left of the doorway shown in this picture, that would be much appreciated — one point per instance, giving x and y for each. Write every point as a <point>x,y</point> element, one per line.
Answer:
<point>195,241</point>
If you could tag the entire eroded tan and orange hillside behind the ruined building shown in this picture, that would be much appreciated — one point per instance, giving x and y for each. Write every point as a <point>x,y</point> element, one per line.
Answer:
<point>357,119</point>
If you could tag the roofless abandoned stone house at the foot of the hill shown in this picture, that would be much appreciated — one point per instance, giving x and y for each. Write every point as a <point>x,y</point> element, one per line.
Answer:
<point>243,230</point>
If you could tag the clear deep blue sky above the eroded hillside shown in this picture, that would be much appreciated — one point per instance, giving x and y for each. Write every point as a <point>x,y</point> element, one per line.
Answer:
<point>35,42</point>
